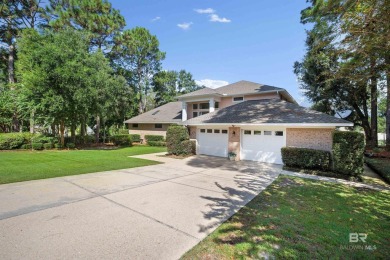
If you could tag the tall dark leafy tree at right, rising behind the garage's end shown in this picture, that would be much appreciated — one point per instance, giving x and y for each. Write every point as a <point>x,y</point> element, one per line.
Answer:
<point>346,58</point>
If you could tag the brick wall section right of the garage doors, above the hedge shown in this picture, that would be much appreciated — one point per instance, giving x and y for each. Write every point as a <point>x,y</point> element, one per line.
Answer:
<point>313,138</point>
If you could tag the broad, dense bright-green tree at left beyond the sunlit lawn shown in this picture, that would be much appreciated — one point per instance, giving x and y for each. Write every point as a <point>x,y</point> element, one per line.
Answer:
<point>63,81</point>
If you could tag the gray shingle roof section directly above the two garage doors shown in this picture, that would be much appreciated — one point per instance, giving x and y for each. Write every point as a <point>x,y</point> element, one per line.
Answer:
<point>271,111</point>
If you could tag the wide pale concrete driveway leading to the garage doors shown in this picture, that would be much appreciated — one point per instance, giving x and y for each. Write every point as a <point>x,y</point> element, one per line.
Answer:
<point>152,212</point>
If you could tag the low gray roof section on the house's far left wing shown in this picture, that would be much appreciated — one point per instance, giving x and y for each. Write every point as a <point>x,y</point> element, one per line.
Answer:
<point>168,113</point>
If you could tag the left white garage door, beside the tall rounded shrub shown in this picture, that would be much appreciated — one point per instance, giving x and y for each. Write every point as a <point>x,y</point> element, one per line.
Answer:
<point>213,142</point>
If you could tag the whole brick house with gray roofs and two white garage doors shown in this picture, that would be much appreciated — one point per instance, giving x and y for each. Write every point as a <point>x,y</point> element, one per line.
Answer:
<point>252,120</point>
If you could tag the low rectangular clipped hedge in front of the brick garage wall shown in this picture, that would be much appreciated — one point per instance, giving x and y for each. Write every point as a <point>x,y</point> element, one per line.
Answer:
<point>306,158</point>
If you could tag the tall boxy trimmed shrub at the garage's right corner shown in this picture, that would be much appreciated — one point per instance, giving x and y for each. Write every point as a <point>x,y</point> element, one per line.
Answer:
<point>348,153</point>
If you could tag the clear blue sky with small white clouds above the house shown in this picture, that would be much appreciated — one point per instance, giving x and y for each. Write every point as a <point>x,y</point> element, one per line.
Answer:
<point>225,41</point>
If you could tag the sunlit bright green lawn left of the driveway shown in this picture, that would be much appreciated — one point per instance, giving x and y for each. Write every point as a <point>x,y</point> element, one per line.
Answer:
<point>18,166</point>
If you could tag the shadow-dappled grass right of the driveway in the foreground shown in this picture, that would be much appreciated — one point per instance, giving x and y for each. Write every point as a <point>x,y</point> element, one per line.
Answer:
<point>303,219</point>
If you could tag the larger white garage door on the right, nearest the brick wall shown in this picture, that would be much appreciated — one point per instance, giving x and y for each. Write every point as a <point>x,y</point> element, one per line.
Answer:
<point>262,145</point>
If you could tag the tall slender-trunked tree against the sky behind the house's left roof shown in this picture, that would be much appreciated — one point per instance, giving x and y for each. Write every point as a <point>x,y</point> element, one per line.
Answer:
<point>137,57</point>
